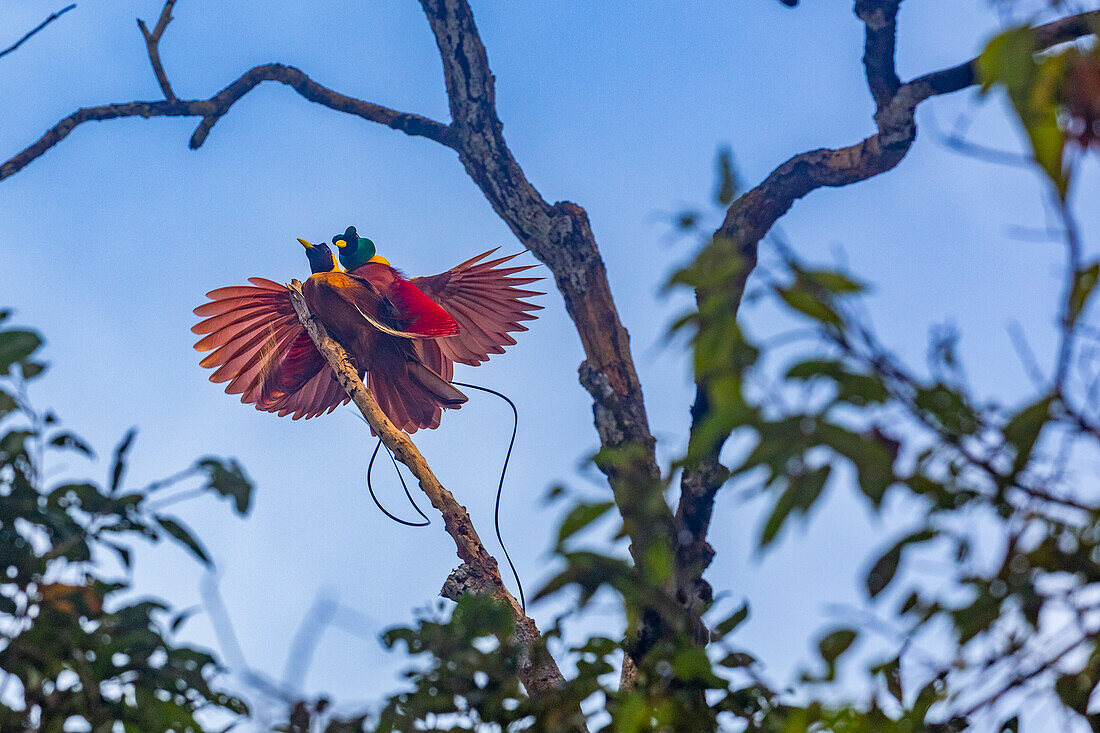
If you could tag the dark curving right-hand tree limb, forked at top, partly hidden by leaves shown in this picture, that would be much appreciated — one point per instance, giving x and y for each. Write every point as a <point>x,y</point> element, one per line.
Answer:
<point>752,216</point>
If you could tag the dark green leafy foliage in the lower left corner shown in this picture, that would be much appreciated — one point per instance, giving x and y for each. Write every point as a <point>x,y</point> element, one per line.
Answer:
<point>78,650</point>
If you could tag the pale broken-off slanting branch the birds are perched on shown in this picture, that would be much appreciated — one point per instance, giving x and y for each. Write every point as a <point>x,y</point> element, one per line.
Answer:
<point>479,573</point>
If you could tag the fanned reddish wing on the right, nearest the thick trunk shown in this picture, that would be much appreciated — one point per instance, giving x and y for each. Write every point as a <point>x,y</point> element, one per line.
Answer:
<point>487,301</point>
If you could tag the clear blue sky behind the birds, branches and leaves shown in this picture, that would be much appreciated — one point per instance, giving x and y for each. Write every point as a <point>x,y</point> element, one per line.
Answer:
<point>109,240</point>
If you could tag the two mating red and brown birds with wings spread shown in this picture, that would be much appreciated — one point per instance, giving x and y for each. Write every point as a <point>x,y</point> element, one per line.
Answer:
<point>404,335</point>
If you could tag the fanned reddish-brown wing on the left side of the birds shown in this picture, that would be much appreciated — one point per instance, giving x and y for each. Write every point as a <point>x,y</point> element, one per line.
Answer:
<point>260,348</point>
